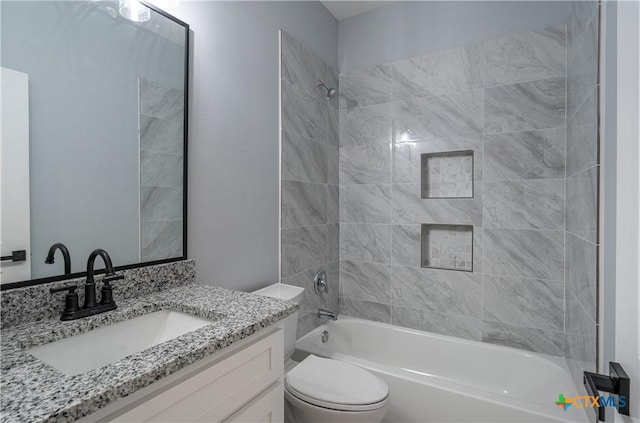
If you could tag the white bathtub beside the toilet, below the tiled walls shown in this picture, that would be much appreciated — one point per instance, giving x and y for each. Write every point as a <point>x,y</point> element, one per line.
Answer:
<point>438,378</point>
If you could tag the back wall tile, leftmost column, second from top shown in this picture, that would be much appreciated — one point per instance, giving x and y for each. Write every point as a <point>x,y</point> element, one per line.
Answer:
<point>365,125</point>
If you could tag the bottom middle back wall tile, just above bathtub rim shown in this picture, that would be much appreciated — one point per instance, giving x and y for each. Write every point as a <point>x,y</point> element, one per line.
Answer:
<point>431,321</point>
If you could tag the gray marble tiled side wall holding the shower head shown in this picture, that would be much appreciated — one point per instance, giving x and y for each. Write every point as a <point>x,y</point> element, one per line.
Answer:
<point>309,180</point>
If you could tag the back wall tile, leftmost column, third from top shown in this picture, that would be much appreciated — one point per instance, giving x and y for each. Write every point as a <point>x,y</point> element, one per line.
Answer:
<point>370,164</point>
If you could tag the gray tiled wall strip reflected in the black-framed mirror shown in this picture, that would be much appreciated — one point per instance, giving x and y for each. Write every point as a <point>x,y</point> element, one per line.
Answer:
<point>161,171</point>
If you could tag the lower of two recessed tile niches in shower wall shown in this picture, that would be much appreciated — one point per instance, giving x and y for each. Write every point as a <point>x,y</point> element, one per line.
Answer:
<point>447,247</point>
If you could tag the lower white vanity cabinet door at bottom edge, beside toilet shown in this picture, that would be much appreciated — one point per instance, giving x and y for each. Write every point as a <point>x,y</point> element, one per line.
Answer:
<point>268,407</point>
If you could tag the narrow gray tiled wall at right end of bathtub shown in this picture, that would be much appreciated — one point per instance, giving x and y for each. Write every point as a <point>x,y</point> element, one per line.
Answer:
<point>581,321</point>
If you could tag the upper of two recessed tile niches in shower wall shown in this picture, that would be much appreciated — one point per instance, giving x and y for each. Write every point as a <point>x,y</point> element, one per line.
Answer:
<point>447,175</point>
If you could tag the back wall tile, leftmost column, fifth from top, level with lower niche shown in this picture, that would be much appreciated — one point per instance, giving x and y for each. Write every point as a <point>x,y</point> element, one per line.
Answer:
<point>364,242</point>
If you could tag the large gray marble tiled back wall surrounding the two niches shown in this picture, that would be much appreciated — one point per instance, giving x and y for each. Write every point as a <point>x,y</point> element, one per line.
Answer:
<point>504,100</point>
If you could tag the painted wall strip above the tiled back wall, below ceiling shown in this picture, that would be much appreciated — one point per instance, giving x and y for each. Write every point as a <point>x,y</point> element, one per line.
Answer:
<point>412,28</point>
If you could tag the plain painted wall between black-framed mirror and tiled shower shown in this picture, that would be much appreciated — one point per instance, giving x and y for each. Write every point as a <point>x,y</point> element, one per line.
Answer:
<point>233,131</point>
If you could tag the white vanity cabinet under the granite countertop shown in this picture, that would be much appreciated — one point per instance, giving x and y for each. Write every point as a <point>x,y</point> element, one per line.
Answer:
<point>241,383</point>
